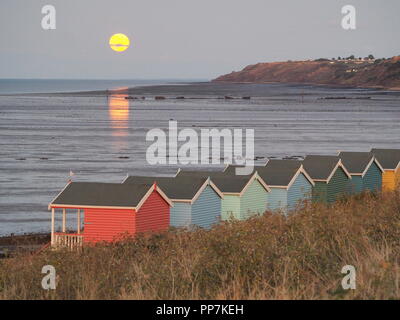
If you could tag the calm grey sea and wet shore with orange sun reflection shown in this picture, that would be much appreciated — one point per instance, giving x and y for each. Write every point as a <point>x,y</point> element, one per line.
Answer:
<point>101,137</point>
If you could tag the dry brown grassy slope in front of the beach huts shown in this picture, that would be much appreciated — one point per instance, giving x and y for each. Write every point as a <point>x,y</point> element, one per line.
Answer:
<point>267,257</point>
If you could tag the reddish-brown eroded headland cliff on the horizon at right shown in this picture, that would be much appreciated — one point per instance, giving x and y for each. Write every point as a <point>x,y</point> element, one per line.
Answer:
<point>371,73</point>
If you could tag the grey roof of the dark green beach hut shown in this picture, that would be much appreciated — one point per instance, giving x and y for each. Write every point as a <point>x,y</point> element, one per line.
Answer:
<point>320,167</point>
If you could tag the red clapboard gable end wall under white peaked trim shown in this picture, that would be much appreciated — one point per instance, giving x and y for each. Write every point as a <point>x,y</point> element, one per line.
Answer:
<point>153,215</point>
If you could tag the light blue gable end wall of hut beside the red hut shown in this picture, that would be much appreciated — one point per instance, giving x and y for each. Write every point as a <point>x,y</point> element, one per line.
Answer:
<point>206,210</point>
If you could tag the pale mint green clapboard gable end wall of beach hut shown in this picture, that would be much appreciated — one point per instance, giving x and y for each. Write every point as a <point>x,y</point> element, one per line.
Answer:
<point>253,201</point>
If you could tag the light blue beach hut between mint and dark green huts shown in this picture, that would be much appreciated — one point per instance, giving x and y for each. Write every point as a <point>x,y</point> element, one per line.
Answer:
<point>290,184</point>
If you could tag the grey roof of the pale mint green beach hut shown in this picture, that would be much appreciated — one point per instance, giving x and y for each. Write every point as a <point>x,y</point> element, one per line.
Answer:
<point>225,183</point>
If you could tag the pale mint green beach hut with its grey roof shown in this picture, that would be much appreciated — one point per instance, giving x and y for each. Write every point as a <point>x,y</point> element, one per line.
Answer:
<point>244,196</point>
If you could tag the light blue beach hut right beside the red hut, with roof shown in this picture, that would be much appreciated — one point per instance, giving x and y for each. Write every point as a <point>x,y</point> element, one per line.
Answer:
<point>197,201</point>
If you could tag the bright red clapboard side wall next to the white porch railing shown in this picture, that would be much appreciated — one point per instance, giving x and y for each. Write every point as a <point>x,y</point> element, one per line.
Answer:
<point>108,224</point>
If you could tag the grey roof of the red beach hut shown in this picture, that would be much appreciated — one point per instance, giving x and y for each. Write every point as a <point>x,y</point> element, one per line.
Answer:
<point>102,194</point>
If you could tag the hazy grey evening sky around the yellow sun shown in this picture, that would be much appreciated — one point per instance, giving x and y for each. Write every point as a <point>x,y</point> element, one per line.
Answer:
<point>185,39</point>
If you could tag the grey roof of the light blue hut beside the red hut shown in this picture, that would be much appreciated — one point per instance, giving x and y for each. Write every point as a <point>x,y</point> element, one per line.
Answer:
<point>184,188</point>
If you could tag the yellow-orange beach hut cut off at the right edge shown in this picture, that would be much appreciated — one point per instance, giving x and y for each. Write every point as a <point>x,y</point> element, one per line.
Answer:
<point>390,161</point>
